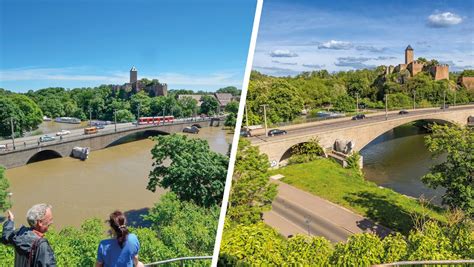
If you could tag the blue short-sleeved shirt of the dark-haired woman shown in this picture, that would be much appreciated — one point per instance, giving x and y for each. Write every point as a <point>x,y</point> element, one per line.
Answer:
<point>110,253</point>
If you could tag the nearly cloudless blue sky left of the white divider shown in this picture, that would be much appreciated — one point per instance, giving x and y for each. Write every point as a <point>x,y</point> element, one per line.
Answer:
<point>200,45</point>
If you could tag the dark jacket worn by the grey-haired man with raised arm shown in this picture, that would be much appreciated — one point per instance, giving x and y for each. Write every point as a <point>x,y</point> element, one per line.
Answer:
<point>23,240</point>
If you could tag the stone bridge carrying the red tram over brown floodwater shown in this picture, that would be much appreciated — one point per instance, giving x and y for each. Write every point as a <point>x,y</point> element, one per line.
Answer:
<point>63,147</point>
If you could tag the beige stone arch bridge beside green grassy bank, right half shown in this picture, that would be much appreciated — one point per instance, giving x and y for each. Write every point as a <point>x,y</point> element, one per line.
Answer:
<point>362,132</point>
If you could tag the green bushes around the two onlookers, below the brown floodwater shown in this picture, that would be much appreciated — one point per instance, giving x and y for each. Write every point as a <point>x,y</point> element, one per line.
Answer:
<point>178,229</point>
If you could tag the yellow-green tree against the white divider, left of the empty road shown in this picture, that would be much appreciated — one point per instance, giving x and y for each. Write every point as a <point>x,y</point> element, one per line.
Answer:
<point>251,193</point>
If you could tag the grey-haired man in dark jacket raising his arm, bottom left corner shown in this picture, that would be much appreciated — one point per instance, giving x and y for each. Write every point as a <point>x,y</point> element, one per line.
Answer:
<point>31,249</point>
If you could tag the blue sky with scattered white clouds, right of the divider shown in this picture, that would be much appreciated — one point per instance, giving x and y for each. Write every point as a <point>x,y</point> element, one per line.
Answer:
<point>296,35</point>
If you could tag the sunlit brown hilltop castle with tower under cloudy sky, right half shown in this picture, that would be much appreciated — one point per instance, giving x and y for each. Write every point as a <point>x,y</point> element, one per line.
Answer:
<point>439,72</point>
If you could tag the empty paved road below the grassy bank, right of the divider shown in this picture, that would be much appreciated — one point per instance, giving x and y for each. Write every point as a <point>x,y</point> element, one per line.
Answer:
<point>296,211</point>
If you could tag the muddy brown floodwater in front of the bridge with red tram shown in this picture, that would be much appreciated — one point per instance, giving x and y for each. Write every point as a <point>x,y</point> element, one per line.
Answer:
<point>112,178</point>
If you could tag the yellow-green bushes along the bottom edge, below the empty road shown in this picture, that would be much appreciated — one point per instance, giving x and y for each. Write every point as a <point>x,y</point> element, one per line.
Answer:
<point>258,244</point>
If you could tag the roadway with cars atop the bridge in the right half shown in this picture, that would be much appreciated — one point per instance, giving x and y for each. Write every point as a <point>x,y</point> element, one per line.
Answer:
<point>323,126</point>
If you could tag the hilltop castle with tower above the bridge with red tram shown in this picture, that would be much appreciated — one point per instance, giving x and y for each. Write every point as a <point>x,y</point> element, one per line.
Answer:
<point>154,88</point>
